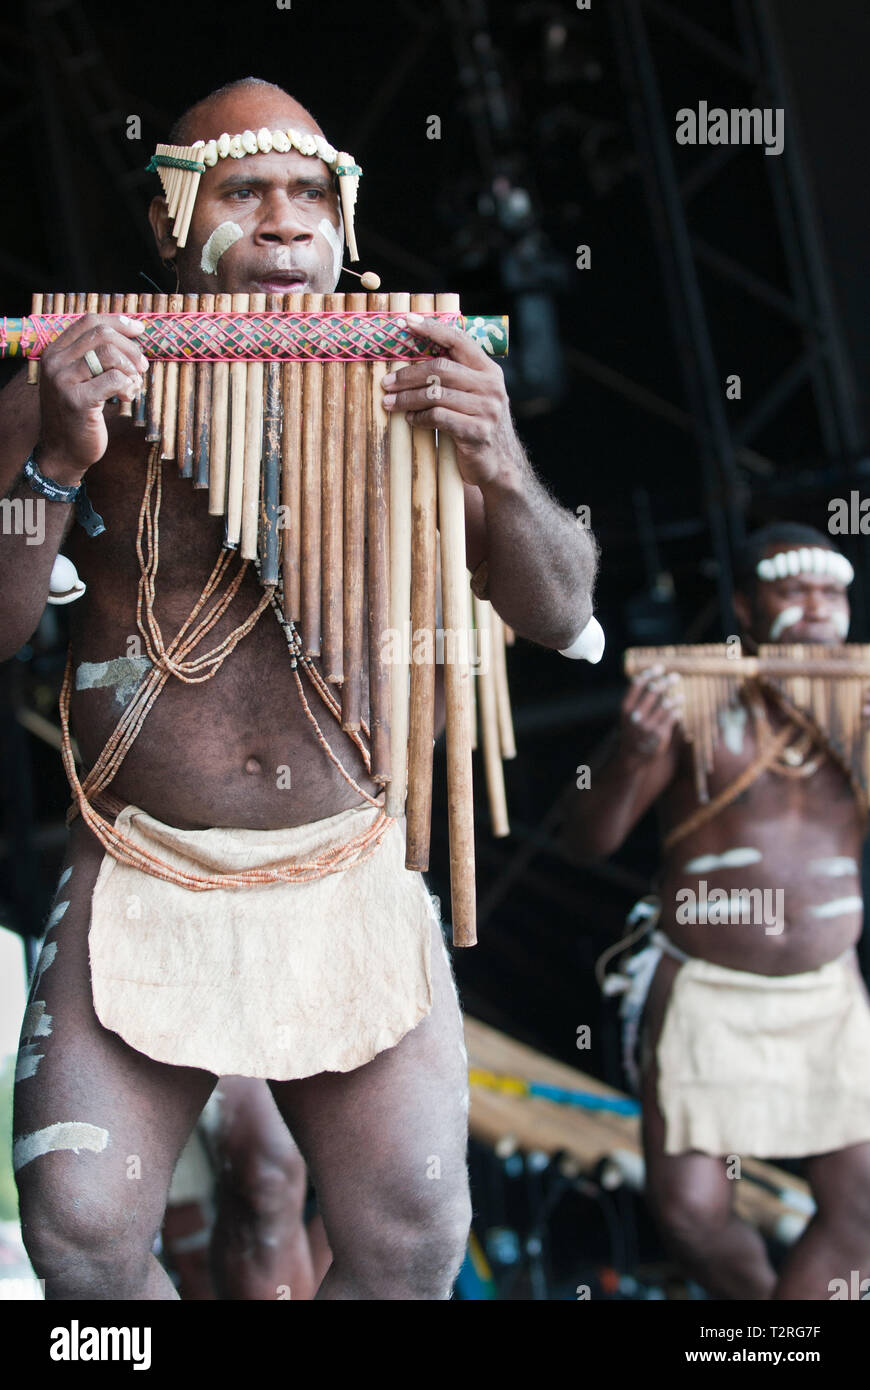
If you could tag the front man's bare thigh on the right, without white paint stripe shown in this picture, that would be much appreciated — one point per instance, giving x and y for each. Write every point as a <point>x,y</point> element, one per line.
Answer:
<point>395,1129</point>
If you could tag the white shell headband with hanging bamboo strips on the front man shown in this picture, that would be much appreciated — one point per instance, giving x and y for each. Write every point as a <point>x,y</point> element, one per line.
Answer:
<point>180,169</point>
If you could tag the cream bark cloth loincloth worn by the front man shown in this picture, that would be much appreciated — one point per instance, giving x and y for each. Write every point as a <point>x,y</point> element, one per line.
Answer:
<point>277,981</point>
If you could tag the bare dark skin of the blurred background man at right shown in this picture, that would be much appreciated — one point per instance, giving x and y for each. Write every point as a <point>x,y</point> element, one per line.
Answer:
<point>793,825</point>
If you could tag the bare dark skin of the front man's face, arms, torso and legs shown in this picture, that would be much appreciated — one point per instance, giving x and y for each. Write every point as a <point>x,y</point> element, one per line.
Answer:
<point>208,755</point>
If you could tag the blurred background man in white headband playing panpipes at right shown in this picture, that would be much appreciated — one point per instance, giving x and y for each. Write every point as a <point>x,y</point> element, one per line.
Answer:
<point>755,1035</point>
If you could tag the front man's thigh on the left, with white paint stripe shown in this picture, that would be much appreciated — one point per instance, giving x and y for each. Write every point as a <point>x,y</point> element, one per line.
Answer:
<point>98,1125</point>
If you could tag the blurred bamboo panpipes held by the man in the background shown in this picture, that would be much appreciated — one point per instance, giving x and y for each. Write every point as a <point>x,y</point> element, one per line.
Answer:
<point>826,683</point>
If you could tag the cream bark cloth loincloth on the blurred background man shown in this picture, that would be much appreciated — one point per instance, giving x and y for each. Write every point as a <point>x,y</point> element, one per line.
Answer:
<point>771,1067</point>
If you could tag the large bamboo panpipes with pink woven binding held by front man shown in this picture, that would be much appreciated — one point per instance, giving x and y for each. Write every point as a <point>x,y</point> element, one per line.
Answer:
<point>276,409</point>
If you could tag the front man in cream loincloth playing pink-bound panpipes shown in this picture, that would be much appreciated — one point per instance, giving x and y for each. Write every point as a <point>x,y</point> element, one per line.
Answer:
<point>368,1067</point>
